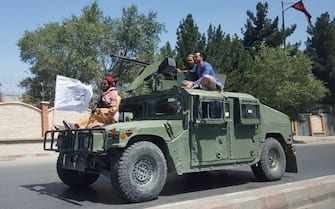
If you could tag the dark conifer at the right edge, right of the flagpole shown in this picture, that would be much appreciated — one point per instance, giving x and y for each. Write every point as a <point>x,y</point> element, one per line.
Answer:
<point>321,47</point>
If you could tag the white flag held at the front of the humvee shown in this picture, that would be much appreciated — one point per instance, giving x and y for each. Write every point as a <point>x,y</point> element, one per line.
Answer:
<point>71,94</point>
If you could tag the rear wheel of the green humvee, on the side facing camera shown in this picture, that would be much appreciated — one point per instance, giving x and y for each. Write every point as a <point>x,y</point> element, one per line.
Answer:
<point>272,163</point>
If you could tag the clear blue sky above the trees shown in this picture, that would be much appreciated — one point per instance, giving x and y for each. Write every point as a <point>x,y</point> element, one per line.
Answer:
<point>19,16</point>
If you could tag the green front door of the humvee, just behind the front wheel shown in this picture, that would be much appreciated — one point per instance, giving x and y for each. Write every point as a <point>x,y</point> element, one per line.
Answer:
<point>208,132</point>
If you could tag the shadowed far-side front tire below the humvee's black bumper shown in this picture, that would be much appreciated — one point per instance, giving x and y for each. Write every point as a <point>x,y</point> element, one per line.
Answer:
<point>72,178</point>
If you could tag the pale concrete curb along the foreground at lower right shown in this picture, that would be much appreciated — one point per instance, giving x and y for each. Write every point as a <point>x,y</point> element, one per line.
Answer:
<point>289,195</point>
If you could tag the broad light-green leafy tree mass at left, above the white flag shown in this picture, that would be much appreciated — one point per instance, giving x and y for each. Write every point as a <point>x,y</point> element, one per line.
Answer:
<point>80,47</point>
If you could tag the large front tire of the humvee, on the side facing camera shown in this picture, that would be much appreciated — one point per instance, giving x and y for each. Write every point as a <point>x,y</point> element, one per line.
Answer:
<point>139,174</point>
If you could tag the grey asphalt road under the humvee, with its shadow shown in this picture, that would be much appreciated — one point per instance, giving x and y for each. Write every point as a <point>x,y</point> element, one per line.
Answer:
<point>33,183</point>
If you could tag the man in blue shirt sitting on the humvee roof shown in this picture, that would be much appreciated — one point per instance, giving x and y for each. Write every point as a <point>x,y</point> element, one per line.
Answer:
<point>207,78</point>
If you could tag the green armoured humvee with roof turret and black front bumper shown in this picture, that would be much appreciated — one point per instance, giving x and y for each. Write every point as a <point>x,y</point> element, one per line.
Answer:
<point>165,128</point>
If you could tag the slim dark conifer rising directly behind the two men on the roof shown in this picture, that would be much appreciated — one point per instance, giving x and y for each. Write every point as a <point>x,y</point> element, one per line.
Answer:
<point>188,39</point>
